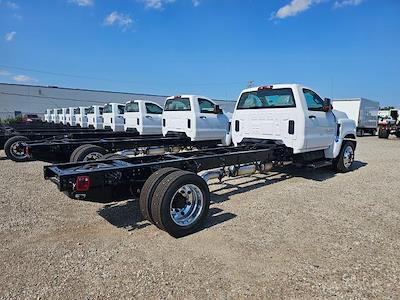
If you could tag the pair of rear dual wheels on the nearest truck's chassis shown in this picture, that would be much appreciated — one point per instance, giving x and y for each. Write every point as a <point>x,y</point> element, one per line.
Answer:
<point>175,201</point>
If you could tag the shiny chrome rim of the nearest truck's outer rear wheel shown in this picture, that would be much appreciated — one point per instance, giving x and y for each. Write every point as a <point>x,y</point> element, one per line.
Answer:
<point>187,205</point>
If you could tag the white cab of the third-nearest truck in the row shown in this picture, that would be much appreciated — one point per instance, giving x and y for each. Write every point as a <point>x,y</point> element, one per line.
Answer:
<point>143,116</point>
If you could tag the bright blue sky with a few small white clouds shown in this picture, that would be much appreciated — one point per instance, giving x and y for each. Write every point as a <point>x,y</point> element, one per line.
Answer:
<point>343,48</point>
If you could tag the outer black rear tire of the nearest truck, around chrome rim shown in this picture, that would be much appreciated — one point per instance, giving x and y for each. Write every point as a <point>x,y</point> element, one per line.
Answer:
<point>163,199</point>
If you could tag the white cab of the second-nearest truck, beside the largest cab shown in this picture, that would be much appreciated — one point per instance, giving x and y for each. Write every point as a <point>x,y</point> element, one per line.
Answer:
<point>196,117</point>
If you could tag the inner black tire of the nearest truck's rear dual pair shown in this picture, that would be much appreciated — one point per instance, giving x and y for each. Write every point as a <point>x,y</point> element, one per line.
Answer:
<point>148,189</point>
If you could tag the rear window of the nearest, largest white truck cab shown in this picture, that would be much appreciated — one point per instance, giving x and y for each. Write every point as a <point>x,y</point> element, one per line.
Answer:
<point>268,98</point>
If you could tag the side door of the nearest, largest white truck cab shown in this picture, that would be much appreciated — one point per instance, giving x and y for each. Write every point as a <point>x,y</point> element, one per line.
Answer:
<point>320,129</point>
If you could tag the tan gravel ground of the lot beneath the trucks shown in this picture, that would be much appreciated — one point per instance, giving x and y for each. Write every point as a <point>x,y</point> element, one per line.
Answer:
<point>296,234</point>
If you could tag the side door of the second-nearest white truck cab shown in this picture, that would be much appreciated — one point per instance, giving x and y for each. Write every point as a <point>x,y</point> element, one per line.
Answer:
<point>209,124</point>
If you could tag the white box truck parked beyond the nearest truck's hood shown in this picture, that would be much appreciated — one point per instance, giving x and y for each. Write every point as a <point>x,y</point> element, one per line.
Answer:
<point>363,111</point>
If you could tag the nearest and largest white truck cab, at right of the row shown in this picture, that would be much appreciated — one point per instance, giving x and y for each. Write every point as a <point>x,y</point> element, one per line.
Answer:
<point>293,115</point>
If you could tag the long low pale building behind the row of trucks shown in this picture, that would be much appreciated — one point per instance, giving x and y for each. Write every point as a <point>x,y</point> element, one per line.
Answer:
<point>19,98</point>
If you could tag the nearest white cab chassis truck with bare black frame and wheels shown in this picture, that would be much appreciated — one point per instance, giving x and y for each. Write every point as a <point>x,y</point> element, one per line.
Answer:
<point>272,126</point>
